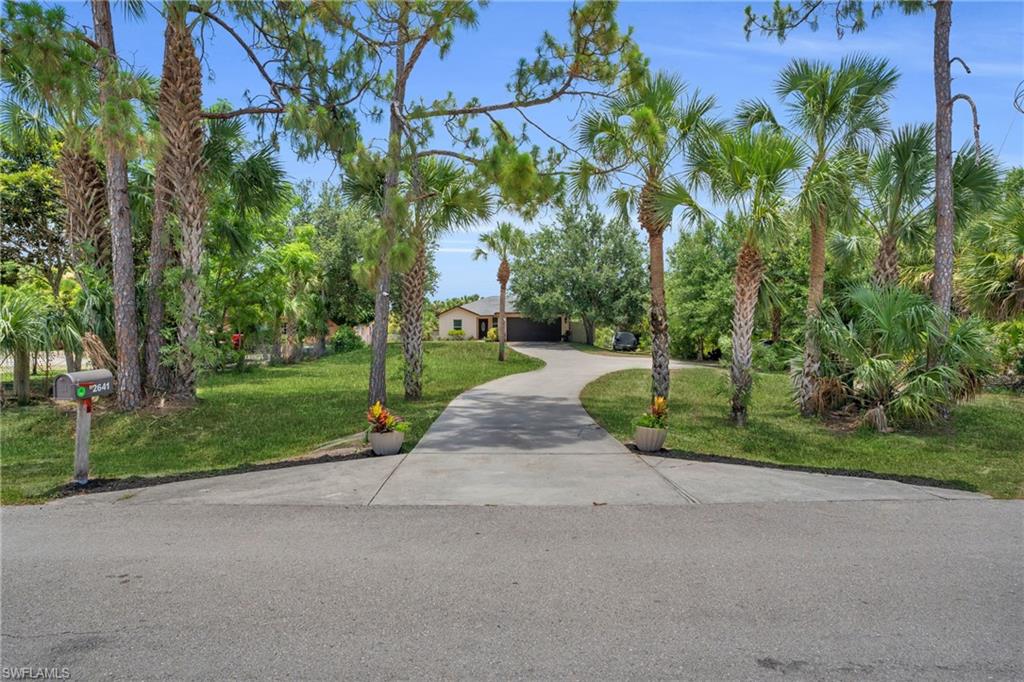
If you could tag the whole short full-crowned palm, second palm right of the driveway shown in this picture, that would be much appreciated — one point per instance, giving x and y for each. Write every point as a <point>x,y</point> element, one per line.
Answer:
<point>749,170</point>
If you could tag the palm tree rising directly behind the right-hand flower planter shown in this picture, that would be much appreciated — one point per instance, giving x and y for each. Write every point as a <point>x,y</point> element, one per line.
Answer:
<point>635,141</point>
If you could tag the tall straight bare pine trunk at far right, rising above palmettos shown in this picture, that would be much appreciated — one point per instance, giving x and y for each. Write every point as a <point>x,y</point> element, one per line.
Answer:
<point>943,283</point>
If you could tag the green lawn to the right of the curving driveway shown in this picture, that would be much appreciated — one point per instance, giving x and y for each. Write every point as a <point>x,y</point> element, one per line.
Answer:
<point>983,449</point>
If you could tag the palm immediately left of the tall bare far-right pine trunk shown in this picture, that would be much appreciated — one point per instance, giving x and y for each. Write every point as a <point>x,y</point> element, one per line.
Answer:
<point>899,193</point>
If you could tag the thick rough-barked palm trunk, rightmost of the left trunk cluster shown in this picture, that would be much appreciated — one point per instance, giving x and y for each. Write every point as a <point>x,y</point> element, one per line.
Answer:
<point>185,141</point>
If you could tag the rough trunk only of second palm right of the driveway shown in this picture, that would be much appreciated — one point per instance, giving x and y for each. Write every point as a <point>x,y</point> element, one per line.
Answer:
<point>748,283</point>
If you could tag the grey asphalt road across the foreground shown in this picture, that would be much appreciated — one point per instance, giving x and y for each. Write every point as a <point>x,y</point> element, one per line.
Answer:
<point>842,590</point>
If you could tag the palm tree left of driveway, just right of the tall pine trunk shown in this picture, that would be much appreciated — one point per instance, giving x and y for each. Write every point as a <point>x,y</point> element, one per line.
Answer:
<point>446,198</point>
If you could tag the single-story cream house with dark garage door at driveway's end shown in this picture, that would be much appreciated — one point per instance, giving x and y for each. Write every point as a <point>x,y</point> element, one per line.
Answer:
<point>477,318</point>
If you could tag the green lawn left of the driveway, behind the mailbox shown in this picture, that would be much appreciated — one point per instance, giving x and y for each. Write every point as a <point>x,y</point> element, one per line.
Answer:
<point>260,416</point>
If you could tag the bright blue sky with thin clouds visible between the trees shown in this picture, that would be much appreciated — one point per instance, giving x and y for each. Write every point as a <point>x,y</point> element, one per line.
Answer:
<point>704,42</point>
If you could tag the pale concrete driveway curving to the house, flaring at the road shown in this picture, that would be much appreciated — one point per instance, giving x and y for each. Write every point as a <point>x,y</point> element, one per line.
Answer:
<point>526,440</point>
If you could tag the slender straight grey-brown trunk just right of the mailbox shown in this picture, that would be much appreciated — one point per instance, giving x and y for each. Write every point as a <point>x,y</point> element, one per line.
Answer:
<point>130,386</point>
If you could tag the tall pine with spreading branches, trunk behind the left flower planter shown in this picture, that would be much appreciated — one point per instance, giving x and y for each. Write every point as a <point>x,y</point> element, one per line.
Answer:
<point>595,54</point>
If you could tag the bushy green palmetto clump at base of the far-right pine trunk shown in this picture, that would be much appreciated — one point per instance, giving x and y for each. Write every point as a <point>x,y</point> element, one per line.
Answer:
<point>876,355</point>
